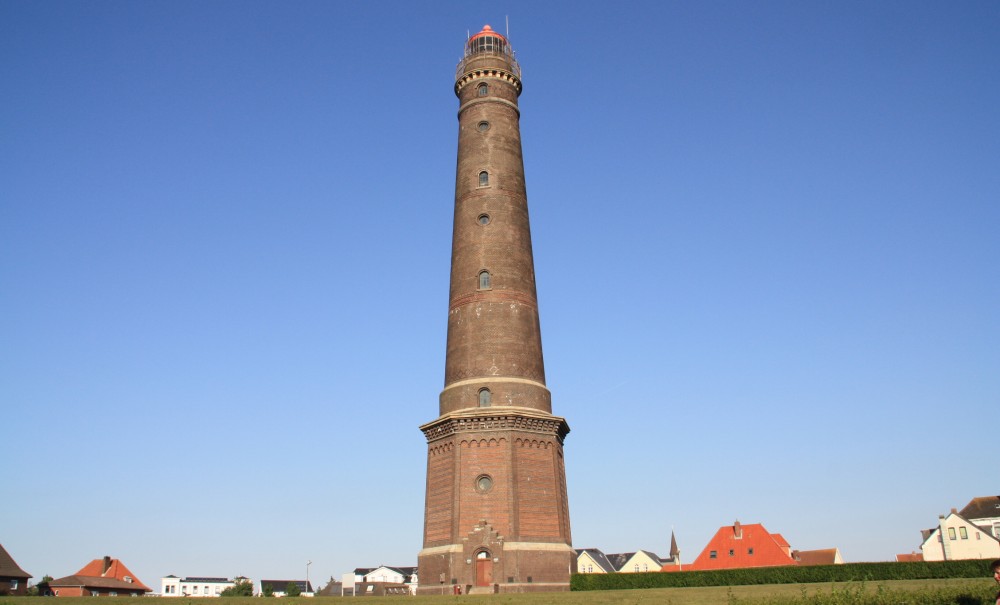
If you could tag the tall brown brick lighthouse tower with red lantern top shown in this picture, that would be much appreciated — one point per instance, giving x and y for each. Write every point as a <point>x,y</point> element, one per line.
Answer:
<point>496,514</point>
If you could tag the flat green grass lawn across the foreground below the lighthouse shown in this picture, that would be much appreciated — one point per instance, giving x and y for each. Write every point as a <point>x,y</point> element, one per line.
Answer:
<point>918,592</point>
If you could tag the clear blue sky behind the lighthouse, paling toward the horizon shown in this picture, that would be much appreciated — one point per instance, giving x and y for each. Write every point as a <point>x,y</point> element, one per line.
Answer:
<point>765,241</point>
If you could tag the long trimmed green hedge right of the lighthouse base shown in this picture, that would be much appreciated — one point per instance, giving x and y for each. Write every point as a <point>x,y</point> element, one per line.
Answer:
<point>790,574</point>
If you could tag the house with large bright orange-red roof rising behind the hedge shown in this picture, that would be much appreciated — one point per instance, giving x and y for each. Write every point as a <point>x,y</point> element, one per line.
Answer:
<point>738,546</point>
